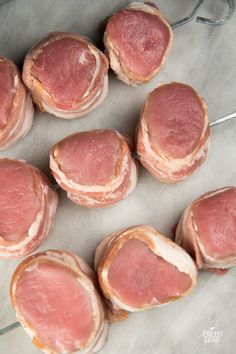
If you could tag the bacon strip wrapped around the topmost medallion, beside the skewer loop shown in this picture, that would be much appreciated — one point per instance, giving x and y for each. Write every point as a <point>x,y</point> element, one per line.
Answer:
<point>114,56</point>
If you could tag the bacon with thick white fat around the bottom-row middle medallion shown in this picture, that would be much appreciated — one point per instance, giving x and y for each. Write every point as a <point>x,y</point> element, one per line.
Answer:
<point>163,247</point>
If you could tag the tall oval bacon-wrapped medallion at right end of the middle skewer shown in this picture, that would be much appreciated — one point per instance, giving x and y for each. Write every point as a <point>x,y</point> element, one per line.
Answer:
<point>173,132</point>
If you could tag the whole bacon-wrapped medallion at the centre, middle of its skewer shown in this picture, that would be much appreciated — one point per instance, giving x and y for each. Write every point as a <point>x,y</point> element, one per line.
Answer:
<point>95,167</point>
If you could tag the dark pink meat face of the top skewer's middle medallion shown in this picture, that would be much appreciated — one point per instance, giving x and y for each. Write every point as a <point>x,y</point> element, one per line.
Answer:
<point>65,73</point>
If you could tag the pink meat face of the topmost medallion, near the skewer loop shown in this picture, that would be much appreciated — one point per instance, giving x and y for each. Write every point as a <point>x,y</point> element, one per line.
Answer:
<point>140,38</point>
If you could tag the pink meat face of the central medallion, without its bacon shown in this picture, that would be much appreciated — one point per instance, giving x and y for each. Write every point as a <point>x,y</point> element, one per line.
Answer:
<point>90,158</point>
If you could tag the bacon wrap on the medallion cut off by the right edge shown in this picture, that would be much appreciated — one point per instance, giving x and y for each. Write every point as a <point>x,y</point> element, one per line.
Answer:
<point>187,224</point>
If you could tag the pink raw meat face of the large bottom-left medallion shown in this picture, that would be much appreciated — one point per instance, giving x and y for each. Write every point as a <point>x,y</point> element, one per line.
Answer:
<point>52,301</point>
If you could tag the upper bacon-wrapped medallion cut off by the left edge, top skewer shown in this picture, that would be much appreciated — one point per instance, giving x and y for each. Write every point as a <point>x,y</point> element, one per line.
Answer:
<point>16,107</point>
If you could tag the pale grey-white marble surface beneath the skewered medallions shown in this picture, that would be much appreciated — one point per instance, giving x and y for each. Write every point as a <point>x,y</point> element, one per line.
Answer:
<point>202,56</point>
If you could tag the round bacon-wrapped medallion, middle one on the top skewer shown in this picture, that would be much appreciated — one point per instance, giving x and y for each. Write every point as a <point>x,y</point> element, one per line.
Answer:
<point>66,74</point>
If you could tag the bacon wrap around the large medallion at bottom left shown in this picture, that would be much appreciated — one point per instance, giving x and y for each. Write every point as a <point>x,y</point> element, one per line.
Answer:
<point>98,337</point>
